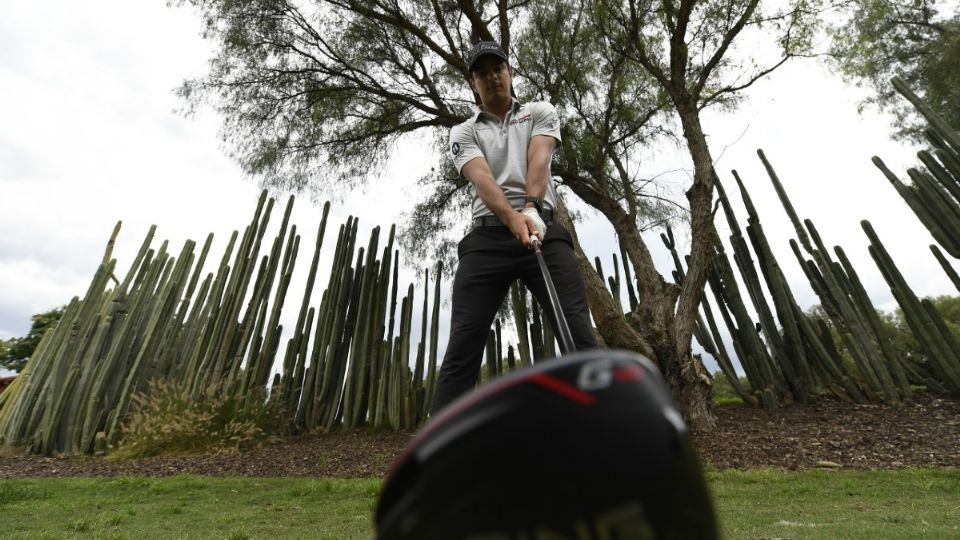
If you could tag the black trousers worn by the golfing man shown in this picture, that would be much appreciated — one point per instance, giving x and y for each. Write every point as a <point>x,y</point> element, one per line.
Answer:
<point>490,260</point>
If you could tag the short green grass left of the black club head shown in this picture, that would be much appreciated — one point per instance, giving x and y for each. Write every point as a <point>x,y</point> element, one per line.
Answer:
<point>187,507</point>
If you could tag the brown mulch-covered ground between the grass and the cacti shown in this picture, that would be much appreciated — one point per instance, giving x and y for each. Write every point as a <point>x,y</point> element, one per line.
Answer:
<point>828,434</point>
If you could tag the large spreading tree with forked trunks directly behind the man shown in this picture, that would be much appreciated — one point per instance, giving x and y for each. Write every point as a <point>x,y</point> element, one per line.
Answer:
<point>314,96</point>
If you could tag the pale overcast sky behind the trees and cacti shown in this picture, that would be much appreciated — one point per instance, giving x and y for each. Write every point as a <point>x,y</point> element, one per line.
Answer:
<point>89,136</point>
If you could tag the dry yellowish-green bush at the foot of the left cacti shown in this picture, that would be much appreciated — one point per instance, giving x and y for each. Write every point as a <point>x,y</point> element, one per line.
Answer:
<point>167,419</point>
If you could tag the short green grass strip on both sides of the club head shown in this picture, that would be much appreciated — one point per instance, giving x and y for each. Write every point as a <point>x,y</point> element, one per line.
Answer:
<point>913,503</point>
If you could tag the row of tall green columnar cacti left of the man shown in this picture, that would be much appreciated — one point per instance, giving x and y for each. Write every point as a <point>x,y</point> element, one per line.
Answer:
<point>346,363</point>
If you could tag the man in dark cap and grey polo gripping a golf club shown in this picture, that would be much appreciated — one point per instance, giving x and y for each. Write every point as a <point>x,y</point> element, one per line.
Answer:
<point>505,152</point>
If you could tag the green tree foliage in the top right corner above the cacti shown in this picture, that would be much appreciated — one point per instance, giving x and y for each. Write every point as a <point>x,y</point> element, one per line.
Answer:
<point>911,39</point>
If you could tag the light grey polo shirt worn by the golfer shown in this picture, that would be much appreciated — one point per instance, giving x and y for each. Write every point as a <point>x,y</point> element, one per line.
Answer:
<point>504,146</point>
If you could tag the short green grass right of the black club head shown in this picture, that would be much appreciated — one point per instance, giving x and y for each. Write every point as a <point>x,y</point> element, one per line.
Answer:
<point>912,503</point>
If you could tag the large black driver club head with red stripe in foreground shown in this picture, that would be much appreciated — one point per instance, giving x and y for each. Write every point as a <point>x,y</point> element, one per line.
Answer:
<point>587,446</point>
